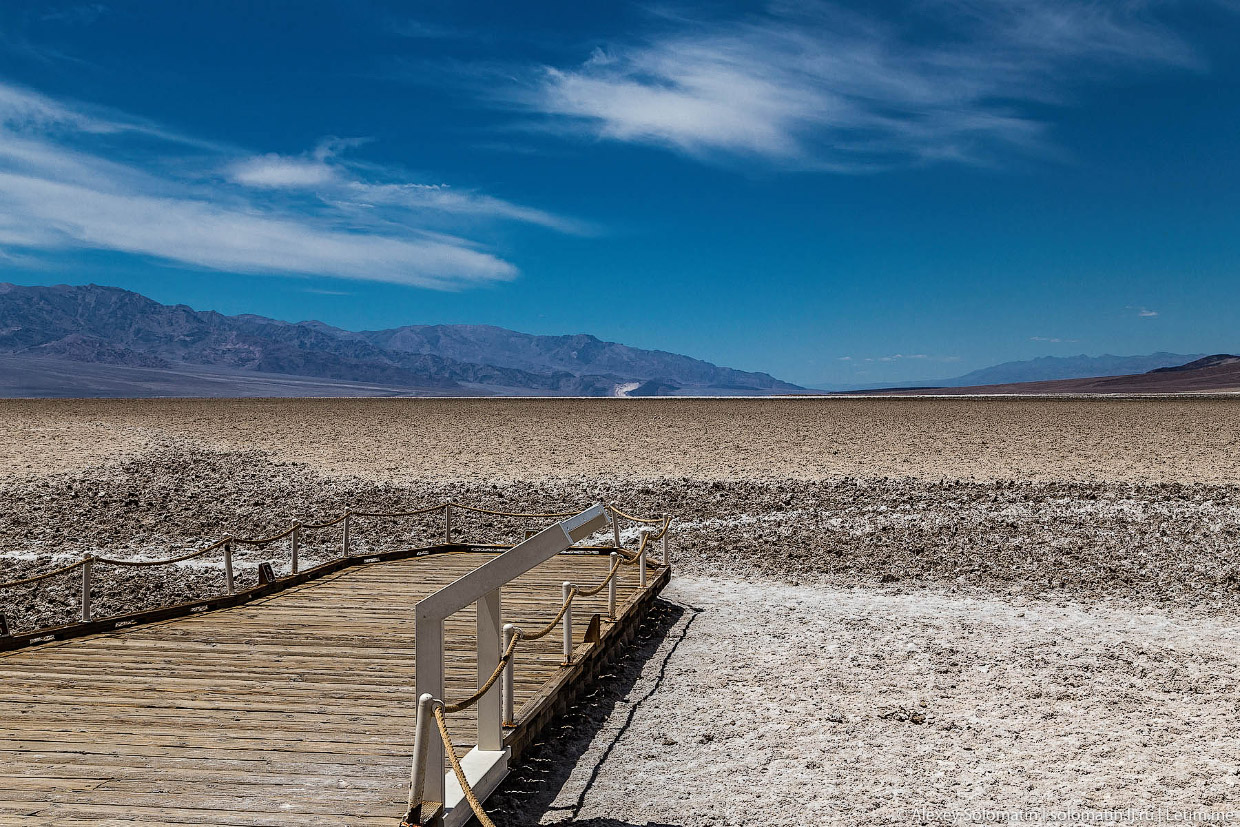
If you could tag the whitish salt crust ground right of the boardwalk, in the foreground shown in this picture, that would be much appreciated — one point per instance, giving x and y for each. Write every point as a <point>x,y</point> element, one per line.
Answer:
<point>781,705</point>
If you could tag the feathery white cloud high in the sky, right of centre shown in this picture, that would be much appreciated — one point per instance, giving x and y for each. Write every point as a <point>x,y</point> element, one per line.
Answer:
<point>817,87</point>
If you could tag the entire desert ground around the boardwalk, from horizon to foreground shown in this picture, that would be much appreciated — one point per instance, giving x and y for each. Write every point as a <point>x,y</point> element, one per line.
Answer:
<point>885,612</point>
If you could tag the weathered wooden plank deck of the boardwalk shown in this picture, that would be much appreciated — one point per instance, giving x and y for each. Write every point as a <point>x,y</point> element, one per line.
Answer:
<point>297,709</point>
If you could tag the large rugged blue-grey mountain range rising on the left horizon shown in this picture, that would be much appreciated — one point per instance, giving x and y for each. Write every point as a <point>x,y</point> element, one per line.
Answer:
<point>99,325</point>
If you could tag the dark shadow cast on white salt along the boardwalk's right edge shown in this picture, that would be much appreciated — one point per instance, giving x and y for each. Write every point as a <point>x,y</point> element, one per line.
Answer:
<point>530,794</point>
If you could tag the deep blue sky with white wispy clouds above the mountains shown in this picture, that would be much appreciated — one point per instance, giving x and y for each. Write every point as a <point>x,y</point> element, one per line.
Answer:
<point>829,193</point>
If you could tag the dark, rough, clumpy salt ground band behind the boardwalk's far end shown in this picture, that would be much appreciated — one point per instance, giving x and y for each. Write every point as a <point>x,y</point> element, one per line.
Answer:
<point>1125,542</point>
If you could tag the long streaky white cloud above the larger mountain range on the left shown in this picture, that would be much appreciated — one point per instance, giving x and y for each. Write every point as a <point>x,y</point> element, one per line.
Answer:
<point>71,177</point>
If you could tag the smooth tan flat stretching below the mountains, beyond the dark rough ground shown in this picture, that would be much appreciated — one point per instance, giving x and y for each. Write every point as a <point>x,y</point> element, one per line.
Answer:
<point>1182,440</point>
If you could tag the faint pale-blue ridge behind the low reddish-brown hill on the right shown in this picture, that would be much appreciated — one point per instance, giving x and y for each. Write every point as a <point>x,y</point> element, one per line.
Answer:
<point>1042,370</point>
